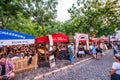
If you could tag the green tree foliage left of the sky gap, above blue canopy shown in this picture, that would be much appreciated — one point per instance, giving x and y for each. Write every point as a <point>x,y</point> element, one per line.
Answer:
<point>34,17</point>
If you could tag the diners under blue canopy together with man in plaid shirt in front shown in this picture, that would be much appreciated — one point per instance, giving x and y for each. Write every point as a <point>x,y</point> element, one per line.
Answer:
<point>9,53</point>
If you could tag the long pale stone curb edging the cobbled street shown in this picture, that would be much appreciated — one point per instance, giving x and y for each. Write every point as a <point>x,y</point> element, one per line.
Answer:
<point>60,70</point>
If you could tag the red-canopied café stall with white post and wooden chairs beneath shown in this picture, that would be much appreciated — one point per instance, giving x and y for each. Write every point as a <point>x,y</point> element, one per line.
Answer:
<point>50,40</point>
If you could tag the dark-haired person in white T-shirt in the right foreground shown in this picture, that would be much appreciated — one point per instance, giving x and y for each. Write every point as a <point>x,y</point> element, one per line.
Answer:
<point>115,71</point>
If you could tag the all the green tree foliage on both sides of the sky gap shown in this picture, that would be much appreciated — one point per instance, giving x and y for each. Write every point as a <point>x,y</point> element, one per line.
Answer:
<point>37,17</point>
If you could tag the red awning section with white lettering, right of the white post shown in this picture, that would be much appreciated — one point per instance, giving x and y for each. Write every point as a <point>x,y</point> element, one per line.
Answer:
<point>60,38</point>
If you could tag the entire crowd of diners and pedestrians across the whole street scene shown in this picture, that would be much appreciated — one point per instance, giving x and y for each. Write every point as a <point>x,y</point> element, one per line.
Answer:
<point>59,50</point>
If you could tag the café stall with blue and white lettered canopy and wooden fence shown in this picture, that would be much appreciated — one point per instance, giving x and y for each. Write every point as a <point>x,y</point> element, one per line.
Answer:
<point>13,44</point>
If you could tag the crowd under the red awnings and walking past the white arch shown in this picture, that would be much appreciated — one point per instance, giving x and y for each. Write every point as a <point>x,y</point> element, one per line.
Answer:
<point>67,50</point>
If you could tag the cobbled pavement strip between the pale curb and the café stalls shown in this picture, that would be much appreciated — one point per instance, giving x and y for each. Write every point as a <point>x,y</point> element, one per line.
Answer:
<point>44,68</point>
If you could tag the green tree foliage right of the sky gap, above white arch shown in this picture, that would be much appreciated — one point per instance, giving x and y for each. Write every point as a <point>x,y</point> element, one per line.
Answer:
<point>101,15</point>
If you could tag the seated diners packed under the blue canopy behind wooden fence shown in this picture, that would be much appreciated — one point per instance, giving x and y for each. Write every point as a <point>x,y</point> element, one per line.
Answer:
<point>17,51</point>
